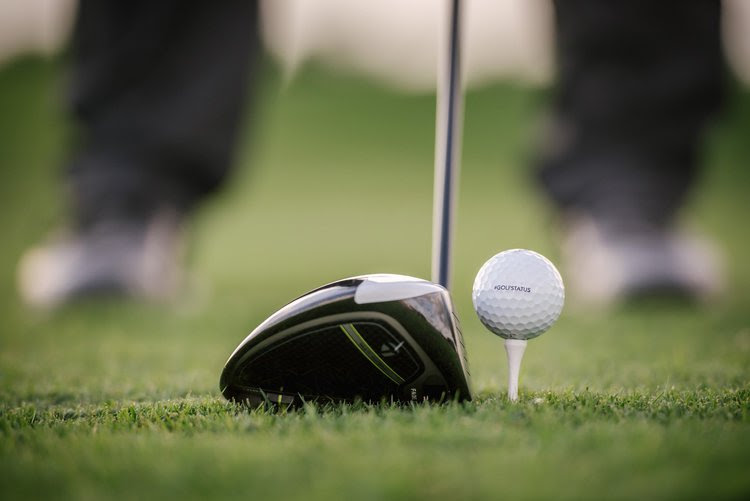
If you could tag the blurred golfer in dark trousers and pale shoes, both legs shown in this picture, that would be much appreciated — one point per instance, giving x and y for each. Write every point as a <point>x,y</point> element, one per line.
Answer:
<point>159,88</point>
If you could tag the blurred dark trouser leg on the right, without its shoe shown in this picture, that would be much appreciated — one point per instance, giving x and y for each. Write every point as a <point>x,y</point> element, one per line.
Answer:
<point>637,82</point>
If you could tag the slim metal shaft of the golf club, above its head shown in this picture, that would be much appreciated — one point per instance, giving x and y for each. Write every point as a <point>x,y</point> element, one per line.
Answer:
<point>447,147</point>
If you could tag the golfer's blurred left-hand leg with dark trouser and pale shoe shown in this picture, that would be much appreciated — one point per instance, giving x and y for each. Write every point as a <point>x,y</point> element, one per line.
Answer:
<point>158,88</point>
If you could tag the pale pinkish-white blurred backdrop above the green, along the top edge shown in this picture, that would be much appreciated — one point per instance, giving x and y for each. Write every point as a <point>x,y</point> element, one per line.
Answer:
<point>388,41</point>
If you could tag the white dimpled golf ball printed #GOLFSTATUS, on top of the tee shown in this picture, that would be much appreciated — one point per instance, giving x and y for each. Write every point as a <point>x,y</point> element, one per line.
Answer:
<point>518,294</point>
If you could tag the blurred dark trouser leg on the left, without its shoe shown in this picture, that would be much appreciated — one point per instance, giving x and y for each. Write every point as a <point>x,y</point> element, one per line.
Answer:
<point>159,88</point>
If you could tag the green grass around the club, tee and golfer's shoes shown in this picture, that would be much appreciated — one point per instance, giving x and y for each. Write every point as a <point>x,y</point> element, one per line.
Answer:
<point>113,400</point>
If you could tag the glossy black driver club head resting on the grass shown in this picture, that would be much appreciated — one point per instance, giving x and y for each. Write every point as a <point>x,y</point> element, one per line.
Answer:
<point>374,337</point>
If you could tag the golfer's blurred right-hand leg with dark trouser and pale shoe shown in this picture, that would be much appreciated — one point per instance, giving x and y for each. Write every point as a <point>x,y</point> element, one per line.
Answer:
<point>638,82</point>
